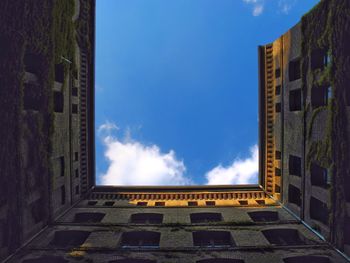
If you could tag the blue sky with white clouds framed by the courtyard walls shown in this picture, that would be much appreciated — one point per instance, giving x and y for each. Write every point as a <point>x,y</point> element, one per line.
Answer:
<point>177,86</point>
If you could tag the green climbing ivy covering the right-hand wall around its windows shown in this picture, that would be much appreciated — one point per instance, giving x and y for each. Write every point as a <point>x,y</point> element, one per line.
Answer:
<point>327,27</point>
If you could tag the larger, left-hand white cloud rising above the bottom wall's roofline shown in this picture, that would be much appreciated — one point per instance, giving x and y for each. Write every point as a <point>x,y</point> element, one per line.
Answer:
<point>133,163</point>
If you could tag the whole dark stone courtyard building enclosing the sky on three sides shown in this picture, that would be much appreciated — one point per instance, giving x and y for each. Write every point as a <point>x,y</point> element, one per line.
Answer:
<point>51,210</point>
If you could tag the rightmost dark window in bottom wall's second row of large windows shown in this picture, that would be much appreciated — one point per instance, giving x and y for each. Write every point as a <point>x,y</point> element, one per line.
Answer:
<point>283,236</point>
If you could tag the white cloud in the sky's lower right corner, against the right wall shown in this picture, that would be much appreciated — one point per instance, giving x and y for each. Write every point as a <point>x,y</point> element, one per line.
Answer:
<point>239,172</point>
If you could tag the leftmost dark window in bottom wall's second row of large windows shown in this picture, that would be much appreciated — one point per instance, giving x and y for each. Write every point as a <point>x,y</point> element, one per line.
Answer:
<point>69,238</point>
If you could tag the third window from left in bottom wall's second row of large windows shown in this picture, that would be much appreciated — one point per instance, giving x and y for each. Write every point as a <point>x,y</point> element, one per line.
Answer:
<point>212,239</point>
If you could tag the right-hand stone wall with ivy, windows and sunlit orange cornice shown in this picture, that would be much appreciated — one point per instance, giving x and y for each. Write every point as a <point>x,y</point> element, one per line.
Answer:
<point>304,124</point>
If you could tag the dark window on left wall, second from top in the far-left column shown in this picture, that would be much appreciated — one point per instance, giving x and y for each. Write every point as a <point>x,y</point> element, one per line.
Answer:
<point>32,100</point>
